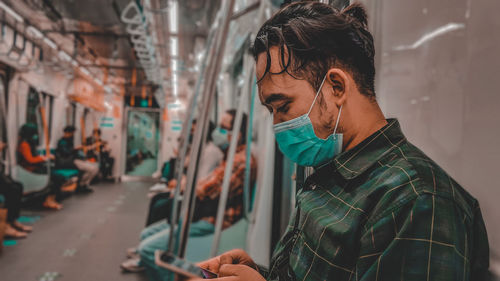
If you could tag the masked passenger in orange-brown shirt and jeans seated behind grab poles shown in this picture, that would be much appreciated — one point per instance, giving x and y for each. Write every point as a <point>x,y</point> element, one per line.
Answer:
<point>155,236</point>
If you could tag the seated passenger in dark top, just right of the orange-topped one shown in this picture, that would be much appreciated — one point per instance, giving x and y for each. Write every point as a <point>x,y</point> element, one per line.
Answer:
<point>68,157</point>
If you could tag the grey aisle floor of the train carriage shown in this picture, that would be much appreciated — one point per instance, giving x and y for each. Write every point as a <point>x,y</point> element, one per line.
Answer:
<point>84,241</point>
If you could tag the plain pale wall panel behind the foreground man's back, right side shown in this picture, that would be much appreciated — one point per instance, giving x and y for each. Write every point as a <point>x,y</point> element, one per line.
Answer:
<point>438,68</point>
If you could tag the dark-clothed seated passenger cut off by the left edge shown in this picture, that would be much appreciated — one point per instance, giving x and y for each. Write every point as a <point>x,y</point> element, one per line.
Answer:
<point>12,191</point>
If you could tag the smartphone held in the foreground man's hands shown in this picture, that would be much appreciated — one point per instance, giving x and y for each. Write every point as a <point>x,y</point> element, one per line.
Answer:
<point>181,266</point>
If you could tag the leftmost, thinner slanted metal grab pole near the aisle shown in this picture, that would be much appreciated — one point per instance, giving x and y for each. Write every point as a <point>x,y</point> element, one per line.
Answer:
<point>184,143</point>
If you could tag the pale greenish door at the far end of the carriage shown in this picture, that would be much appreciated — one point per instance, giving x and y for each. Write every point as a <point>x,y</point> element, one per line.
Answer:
<point>142,131</point>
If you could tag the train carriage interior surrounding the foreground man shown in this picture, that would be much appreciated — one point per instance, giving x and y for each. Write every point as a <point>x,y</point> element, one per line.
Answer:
<point>145,83</point>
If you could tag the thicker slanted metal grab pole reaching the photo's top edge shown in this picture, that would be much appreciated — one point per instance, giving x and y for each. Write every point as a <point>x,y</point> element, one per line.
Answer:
<point>228,5</point>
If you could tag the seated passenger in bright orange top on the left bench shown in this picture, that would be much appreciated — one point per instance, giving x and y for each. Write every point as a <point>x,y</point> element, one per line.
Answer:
<point>28,159</point>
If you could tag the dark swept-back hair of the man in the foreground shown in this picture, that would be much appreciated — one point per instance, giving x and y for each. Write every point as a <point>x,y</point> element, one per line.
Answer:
<point>312,37</point>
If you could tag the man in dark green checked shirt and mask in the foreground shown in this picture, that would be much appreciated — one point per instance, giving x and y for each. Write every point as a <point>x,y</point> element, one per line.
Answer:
<point>376,207</point>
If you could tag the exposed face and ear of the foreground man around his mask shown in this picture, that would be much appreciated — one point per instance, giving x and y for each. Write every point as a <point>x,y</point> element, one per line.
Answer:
<point>288,98</point>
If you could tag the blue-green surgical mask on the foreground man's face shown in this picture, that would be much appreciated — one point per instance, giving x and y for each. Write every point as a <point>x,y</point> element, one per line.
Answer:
<point>297,140</point>
